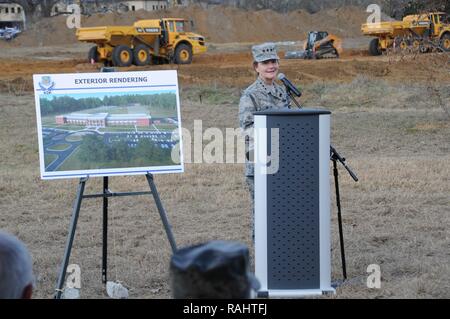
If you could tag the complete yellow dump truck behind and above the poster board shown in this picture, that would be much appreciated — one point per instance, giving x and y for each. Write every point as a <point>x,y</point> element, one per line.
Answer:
<point>145,42</point>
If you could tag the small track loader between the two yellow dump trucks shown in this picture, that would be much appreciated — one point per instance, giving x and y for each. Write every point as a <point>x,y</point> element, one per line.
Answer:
<point>318,45</point>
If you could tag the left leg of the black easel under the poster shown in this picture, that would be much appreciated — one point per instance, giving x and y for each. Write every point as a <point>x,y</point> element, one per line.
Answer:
<point>70,237</point>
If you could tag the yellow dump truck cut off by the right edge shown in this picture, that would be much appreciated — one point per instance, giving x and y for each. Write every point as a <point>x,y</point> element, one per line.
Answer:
<point>421,32</point>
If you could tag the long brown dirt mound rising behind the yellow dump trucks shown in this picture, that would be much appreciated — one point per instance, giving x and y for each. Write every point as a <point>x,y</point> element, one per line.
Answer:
<point>220,24</point>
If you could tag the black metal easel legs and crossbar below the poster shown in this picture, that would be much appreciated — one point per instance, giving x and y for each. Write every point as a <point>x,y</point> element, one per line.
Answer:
<point>105,195</point>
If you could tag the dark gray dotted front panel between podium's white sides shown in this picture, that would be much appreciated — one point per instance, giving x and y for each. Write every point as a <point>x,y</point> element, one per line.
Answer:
<point>292,199</point>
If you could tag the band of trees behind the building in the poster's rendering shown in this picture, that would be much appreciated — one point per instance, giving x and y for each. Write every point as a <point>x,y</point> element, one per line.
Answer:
<point>67,104</point>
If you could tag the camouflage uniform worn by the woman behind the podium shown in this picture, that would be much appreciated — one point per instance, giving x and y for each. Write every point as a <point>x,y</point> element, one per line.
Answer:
<point>257,97</point>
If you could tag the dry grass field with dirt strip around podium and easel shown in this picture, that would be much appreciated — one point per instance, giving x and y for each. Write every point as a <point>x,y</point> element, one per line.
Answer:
<point>390,119</point>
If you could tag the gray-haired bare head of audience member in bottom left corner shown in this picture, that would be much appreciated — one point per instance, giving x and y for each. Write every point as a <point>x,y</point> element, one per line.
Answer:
<point>16,273</point>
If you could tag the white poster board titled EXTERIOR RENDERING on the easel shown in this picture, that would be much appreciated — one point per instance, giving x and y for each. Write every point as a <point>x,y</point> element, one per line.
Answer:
<point>107,124</point>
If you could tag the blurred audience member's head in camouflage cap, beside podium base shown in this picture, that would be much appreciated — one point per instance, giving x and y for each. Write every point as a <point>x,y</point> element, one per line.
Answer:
<point>215,270</point>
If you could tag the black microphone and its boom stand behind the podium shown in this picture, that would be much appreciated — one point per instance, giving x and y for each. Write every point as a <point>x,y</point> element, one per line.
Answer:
<point>334,157</point>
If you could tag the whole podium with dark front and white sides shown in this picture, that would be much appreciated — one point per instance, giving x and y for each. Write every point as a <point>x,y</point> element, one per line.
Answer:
<point>292,203</point>
